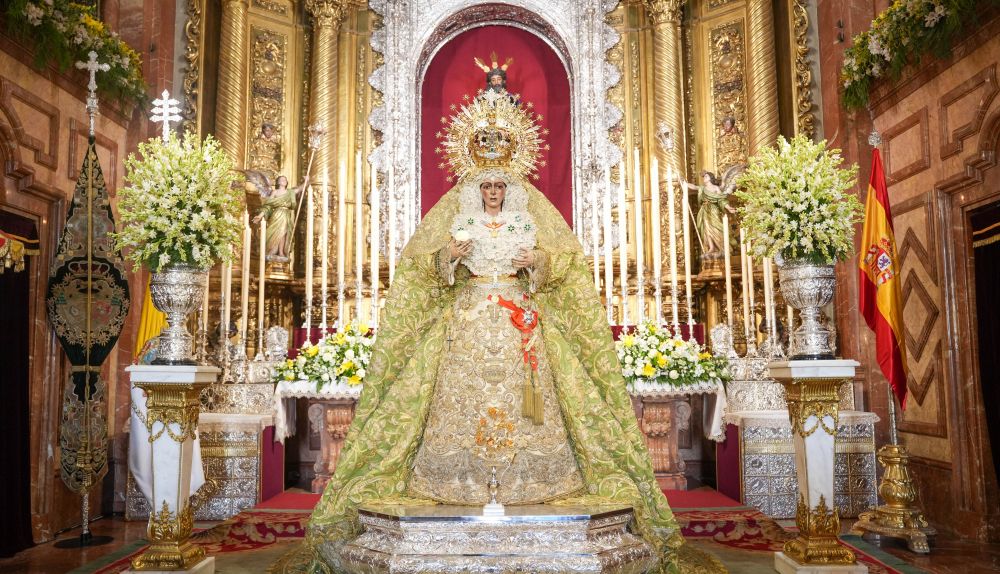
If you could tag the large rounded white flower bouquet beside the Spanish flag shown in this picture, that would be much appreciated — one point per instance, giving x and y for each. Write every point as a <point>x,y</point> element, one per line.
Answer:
<point>797,202</point>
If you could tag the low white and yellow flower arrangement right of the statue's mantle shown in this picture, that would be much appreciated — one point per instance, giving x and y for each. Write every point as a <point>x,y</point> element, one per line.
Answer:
<point>652,355</point>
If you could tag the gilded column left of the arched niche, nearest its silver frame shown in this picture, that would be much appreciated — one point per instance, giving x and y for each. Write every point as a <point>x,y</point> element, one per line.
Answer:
<point>327,15</point>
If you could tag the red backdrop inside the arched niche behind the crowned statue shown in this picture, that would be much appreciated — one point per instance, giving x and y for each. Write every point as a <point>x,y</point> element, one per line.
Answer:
<point>536,74</point>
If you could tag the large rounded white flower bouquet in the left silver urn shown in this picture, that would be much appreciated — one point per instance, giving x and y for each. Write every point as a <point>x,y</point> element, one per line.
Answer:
<point>180,206</point>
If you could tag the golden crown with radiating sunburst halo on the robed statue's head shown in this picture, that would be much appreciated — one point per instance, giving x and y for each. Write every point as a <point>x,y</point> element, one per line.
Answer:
<point>493,130</point>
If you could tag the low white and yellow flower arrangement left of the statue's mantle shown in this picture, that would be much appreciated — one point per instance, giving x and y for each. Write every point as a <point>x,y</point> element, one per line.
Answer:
<point>339,358</point>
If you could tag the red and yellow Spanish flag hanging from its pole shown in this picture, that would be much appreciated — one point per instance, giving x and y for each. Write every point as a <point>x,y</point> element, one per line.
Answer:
<point>881,299</point>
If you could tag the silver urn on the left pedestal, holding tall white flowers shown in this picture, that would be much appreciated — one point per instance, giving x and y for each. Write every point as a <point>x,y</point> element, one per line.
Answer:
<point>177,291</point>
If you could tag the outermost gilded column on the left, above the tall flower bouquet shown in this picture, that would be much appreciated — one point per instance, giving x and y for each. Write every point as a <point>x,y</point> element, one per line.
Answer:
<point>230,110</point>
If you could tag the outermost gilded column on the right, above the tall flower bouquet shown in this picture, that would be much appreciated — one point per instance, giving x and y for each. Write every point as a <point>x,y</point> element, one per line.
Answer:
<point>762,76</point>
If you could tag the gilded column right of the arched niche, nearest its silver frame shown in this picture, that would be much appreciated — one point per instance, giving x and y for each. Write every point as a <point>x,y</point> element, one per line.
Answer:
<point>668,99</point>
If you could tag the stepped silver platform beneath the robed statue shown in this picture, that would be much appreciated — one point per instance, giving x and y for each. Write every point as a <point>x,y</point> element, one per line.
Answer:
<point>535,538</point>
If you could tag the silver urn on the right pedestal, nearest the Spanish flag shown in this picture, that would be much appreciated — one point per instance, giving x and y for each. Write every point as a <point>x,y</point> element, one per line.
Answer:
<point>809,287</point>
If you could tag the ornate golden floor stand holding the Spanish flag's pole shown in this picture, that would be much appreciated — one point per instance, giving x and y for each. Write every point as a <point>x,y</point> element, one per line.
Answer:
<point>897,518</point>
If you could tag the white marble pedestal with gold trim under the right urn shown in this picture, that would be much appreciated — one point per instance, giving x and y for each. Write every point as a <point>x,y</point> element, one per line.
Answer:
<point>811,392</point>
